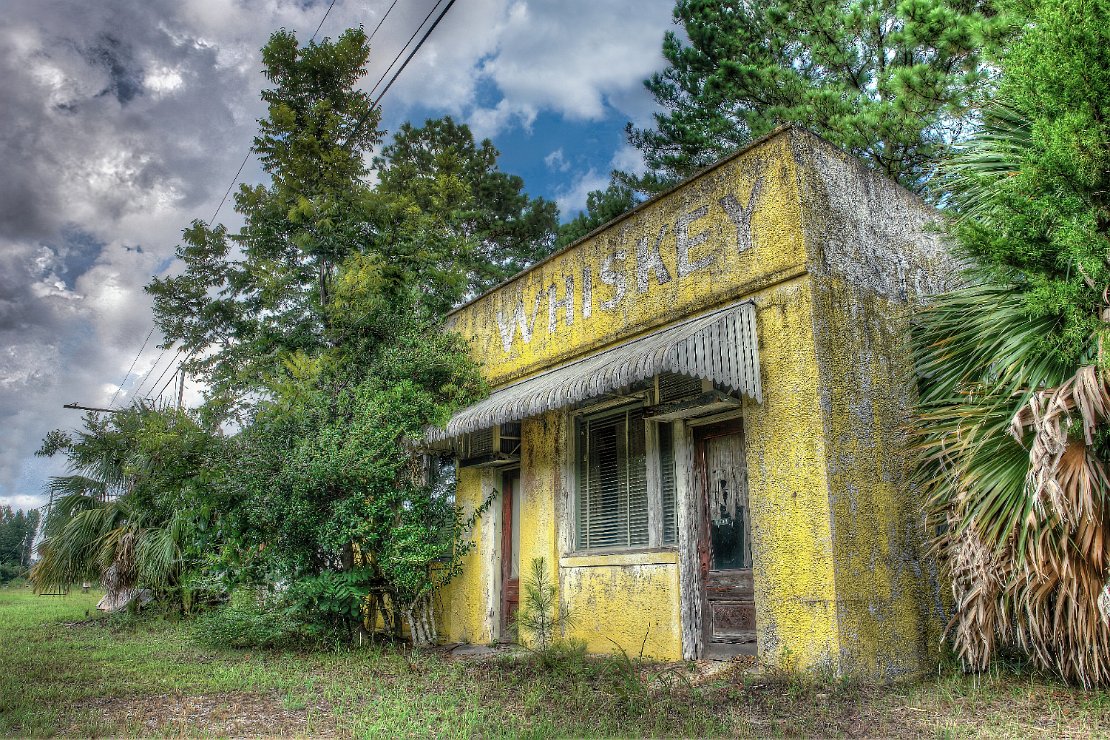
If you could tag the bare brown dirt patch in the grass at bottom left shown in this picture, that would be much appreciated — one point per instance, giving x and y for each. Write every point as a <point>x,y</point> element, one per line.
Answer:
<point>224,715</point>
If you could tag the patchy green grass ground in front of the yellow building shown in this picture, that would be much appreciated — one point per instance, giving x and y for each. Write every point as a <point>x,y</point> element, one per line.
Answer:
<point>65,674</point>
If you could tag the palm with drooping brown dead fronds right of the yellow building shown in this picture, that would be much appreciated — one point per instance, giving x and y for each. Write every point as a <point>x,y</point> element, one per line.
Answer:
<point>1013,438</point>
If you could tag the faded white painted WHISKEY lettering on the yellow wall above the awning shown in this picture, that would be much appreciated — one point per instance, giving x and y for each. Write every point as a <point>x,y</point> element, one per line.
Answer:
<point>627,275</point>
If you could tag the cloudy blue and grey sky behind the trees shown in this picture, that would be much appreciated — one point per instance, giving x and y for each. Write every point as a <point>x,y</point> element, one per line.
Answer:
<point>124,120</point>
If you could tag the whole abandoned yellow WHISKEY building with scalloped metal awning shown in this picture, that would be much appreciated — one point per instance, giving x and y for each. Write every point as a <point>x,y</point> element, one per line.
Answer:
<point>699,422</point>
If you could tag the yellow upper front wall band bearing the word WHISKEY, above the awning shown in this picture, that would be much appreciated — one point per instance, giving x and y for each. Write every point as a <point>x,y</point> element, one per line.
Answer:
<point>726,235</point>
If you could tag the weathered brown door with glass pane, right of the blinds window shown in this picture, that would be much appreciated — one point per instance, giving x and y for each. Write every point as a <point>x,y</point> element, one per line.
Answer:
<point>729,609</point>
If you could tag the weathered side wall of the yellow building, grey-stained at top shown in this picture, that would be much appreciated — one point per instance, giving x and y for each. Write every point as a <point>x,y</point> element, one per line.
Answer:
<point>876,255</point>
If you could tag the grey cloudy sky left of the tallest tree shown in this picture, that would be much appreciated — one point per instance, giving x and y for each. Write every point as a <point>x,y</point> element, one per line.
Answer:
<point>117,119</point>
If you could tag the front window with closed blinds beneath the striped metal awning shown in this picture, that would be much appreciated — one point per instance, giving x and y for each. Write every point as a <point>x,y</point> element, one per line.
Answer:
<point>613,493</point>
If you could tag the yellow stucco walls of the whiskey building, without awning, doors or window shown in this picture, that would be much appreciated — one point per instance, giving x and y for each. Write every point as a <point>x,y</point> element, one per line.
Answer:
<point>835,259</point>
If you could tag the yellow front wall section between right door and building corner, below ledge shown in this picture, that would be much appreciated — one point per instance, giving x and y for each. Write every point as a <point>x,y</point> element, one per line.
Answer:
<point>792,541</point>
